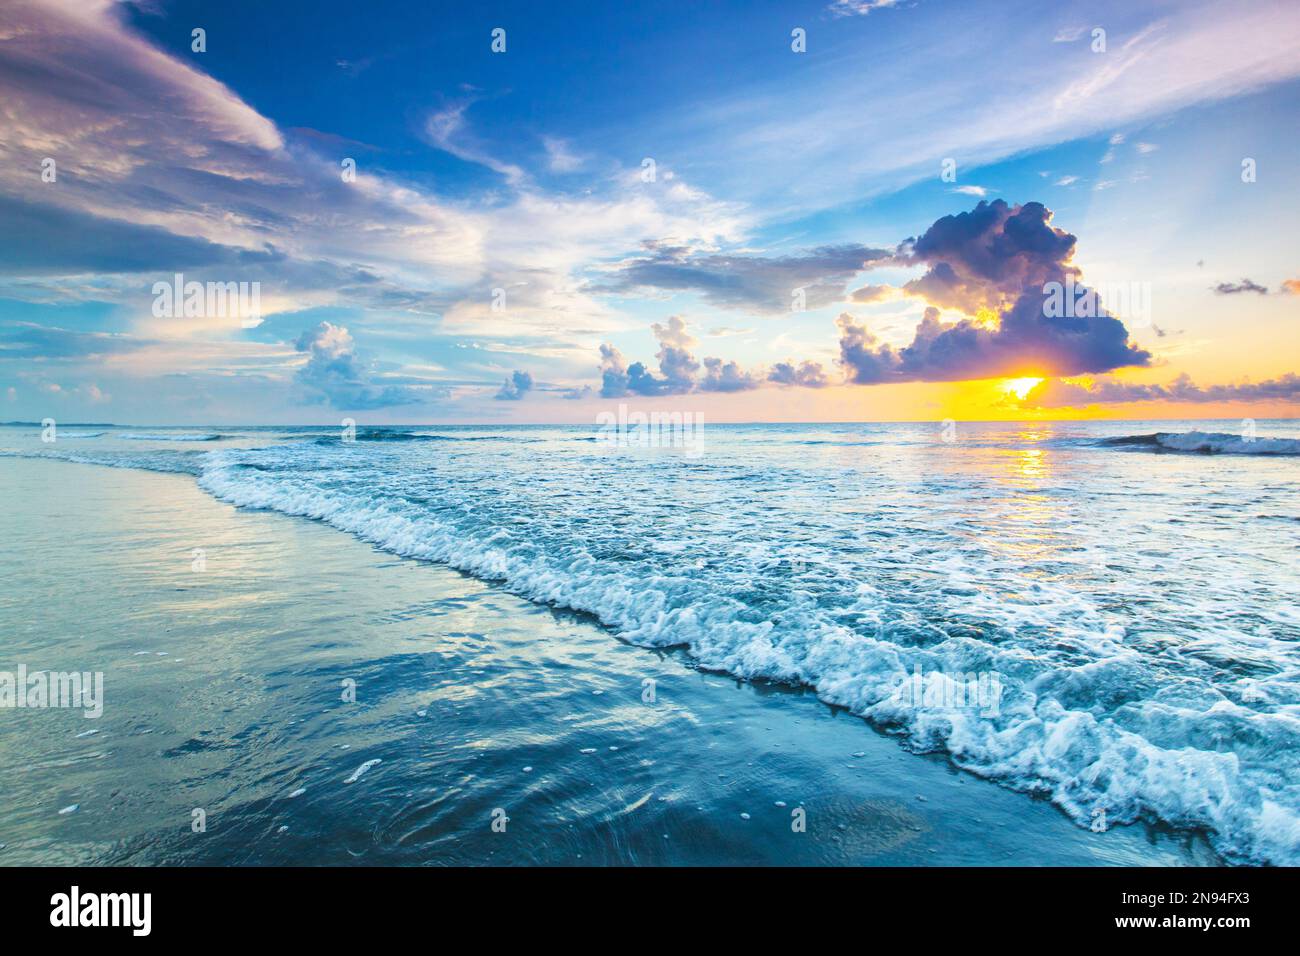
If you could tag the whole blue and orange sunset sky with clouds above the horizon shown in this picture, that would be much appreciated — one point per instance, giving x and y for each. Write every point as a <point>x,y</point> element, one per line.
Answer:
<point>860,210</point>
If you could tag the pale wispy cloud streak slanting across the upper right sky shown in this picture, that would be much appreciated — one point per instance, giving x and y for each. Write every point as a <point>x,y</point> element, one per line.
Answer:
<point>1054,94</point>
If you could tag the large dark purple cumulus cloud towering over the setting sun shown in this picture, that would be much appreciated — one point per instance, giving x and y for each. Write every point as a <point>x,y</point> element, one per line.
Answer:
<point>991,263</point>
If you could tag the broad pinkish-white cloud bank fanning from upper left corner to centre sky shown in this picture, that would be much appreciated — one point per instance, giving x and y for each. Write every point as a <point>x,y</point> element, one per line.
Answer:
<point>163,170</point>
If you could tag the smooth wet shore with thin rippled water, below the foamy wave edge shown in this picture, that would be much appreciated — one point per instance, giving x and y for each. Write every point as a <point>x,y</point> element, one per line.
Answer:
<point>242,710</point>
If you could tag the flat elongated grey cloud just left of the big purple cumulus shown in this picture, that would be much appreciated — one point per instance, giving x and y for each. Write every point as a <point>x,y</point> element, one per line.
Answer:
<point>761,284</point>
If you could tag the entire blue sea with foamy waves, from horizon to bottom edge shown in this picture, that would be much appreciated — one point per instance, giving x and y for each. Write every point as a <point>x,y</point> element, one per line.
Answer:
<point>1093,626</point>
